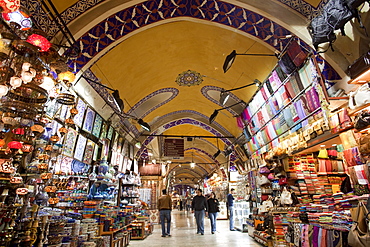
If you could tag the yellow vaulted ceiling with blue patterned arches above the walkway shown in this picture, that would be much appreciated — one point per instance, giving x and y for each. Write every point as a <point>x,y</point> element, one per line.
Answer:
<point>140,48</point>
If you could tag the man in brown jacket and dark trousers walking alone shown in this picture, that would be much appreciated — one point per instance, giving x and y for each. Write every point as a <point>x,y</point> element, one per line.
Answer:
<point>164,207</point>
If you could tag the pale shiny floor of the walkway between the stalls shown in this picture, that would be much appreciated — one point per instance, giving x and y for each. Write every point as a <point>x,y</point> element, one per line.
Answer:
<point>183,231</point>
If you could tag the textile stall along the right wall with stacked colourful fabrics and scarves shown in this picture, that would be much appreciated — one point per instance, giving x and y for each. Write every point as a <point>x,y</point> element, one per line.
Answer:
<point>308,171</point>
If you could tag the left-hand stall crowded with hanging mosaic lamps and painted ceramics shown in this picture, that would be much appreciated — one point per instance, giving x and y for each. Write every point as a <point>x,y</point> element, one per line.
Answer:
<point>41,203</point>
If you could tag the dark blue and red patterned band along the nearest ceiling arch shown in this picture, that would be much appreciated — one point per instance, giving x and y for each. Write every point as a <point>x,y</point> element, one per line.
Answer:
<point>112,29</point>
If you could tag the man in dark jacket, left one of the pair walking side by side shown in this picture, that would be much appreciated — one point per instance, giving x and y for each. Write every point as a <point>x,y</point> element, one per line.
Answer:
<point>199,205</point>
